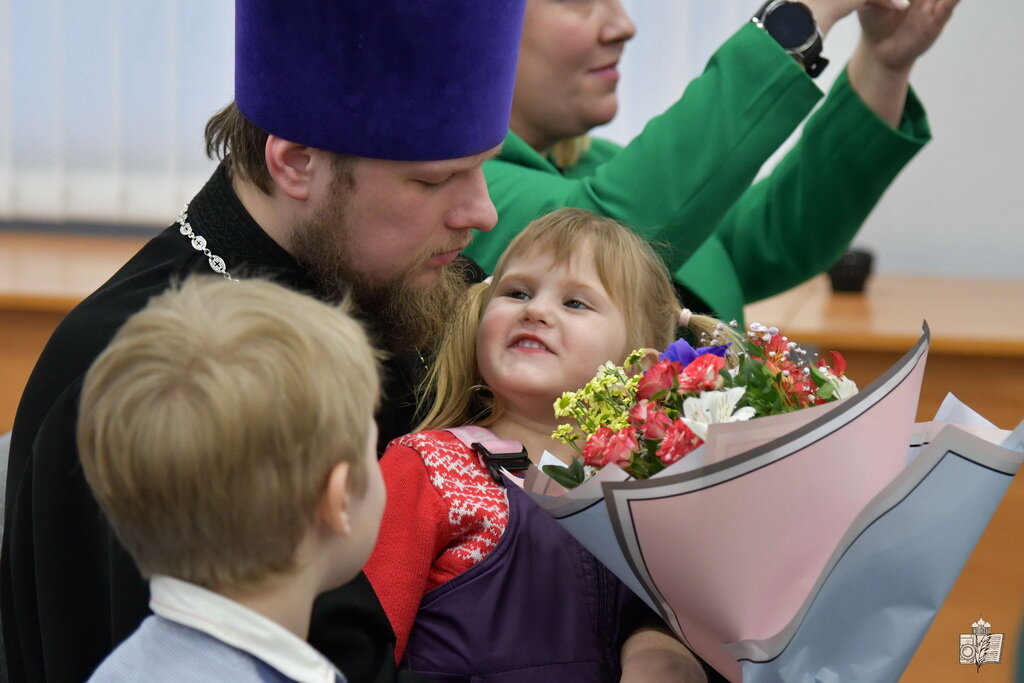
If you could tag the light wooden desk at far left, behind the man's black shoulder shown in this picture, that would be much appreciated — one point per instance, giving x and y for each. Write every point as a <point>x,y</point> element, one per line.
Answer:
<point>44,277</point>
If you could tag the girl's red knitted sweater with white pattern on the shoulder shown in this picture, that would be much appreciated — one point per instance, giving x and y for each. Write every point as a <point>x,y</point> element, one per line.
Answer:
<point>444,516</point>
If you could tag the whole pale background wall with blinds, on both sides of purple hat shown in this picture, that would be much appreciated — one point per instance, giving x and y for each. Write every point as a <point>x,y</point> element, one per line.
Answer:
<point>103,106</point>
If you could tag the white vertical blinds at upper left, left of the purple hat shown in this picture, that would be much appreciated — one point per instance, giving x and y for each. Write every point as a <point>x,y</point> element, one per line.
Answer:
<point>103,106</point>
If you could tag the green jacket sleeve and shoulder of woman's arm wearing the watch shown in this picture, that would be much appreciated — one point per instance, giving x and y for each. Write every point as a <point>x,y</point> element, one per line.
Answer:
<point>676,181</point>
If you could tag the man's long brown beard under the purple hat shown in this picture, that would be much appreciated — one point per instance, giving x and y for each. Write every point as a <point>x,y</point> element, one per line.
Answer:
<point>399,318</point>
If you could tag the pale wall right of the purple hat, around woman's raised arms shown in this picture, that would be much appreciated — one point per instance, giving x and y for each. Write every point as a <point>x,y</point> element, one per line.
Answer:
<point>957,209</point>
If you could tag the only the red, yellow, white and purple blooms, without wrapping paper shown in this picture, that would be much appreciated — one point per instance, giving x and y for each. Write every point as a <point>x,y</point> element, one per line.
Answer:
<point>645,422</point>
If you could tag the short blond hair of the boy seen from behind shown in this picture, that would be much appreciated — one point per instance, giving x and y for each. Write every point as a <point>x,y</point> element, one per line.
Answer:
<point>208,428</point>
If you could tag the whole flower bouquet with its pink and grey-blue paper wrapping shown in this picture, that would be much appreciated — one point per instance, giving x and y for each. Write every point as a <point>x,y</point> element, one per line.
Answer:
<point>784,525</point>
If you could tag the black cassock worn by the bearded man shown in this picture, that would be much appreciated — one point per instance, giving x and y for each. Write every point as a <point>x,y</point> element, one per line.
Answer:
<point>69,592</point>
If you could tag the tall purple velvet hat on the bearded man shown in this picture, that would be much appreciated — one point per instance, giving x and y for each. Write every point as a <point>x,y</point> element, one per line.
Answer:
<point>408,80</point>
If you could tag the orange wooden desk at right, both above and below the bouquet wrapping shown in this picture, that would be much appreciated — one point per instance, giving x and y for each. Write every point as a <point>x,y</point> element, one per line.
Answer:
<point>977,353</point>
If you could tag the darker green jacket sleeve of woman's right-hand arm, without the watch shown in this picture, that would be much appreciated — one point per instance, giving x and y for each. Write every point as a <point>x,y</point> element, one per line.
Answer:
<point>797,222</point>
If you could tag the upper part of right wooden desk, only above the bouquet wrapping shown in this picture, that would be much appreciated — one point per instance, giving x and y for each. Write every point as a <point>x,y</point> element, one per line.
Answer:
<point>977,349</point>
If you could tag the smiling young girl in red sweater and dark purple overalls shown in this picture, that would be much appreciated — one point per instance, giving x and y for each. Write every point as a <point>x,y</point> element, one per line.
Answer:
<point>479,582</point>
